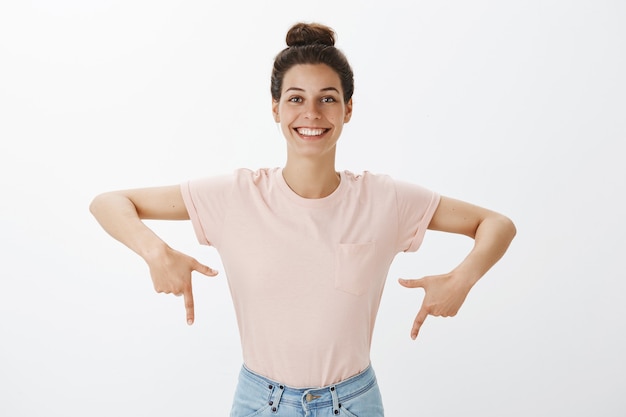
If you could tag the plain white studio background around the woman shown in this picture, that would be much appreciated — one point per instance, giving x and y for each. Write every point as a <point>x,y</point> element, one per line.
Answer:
<point>516,106</point>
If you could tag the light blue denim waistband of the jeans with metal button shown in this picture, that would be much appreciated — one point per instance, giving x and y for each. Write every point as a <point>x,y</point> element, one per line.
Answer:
<point>310,398</point>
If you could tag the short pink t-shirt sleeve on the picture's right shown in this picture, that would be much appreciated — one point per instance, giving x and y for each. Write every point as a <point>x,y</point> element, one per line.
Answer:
<point>416,207</point>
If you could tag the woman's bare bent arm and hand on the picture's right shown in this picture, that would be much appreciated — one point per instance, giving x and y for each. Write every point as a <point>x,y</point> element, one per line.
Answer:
<point>492,233</point>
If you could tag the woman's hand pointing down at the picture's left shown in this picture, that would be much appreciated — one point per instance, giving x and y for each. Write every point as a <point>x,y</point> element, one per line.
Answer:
<point>171,274</point>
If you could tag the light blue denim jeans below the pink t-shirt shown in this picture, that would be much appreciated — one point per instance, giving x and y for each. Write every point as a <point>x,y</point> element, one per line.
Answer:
<point>257,396</point>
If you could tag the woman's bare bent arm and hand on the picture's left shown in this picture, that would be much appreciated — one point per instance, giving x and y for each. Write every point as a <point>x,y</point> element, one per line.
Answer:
<point>120,214</point>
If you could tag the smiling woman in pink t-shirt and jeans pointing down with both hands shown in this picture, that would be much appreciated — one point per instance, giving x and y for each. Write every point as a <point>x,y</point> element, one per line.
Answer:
<point>306,248</point>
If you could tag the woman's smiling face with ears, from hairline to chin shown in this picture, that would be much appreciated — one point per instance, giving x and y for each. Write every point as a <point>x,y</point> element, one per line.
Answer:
<point>311,110</point>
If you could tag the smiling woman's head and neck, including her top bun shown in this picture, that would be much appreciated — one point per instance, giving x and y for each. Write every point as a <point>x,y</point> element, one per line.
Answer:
<point>312,85</point>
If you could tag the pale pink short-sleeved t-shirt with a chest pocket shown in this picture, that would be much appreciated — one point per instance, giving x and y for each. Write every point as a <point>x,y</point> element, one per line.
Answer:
<point>306,275</point>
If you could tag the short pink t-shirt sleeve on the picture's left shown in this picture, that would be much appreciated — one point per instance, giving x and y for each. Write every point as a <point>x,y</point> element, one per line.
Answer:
<point>206,200</point>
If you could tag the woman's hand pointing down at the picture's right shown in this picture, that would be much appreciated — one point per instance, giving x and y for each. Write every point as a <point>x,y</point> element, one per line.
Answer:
<point>444,295</point>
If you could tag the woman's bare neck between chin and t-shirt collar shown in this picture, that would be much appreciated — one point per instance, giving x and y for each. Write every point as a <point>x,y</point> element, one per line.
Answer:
<point>311,179</point>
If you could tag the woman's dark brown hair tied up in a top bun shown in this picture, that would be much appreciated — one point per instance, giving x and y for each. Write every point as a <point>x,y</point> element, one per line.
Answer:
<point>311,43</point>
